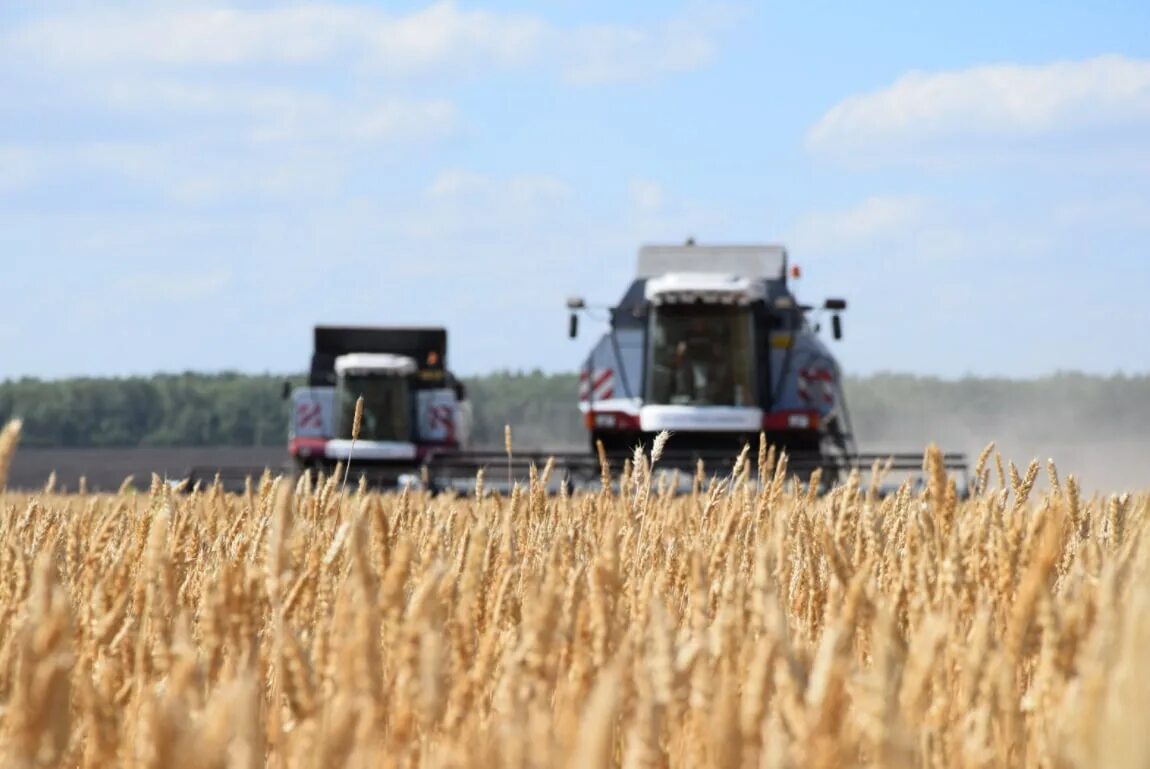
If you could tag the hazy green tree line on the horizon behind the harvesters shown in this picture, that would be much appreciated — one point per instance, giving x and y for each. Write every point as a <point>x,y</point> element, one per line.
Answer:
<point>234,410</point>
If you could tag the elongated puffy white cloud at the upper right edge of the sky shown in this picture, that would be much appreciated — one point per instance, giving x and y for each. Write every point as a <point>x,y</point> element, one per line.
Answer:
<point>994,112</point>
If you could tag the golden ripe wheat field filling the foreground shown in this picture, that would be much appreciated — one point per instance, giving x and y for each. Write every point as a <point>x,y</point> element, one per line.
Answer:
<point>749,624</point>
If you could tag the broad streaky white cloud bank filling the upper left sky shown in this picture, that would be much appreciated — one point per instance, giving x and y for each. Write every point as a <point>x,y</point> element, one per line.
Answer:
<point>193,98</point>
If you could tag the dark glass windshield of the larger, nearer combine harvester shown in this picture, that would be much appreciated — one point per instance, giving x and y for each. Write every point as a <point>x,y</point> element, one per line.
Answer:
<point>701,356</point>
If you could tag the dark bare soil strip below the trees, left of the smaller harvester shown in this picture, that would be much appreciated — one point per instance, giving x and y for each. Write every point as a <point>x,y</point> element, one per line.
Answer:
<point>106,468</point>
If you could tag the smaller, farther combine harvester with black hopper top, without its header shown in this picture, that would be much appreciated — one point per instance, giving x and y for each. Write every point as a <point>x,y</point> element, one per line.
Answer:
<point>413,407</point>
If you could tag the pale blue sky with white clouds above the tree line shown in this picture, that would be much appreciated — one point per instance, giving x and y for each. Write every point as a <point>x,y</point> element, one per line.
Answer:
<point>194,186</point>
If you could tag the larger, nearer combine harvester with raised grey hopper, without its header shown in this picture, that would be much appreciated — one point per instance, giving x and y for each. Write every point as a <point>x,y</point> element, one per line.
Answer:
<point>711,344</point>
